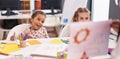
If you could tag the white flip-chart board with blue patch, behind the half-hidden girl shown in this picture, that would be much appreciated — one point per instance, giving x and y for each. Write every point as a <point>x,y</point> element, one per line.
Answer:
<point>69,8</point>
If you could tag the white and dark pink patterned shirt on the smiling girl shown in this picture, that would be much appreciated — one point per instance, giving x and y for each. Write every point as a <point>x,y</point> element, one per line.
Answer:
<point>40,33</point>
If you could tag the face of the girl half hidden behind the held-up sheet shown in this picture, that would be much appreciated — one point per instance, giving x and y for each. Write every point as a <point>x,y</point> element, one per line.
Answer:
<point>83,17</point>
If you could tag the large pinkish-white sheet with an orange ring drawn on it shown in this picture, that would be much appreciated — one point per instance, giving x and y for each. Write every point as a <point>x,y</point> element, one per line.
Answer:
<point>88,39</point>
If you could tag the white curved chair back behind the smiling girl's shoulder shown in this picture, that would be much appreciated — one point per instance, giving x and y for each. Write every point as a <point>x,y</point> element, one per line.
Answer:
<point>17,30</point>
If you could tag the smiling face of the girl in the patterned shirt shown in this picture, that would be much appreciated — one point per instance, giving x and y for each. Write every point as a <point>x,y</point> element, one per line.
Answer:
<point>37,21</point>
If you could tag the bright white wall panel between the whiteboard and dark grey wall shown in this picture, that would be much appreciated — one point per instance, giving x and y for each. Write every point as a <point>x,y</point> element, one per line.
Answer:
<point>100,10</point>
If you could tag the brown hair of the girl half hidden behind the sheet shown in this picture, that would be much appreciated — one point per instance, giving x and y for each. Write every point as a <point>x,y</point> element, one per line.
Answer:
<point>79,10</point>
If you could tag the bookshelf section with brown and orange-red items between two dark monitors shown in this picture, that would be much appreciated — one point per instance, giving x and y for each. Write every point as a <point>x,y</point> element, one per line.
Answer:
<point>28,6</point>
